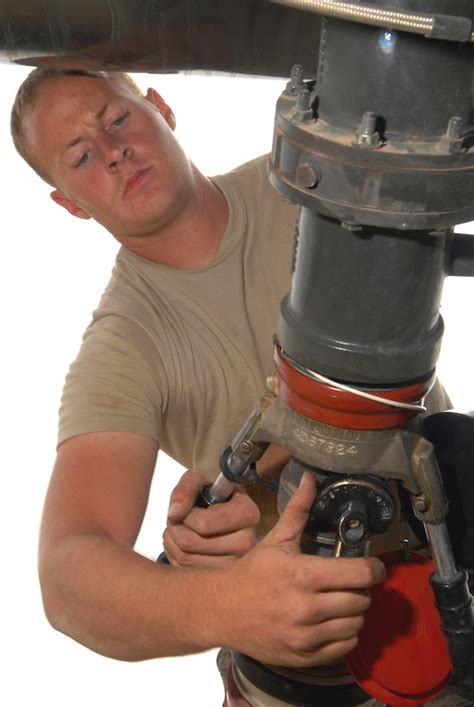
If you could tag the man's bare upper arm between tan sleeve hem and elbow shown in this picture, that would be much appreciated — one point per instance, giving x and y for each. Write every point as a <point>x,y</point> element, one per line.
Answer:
<point>100,484</point>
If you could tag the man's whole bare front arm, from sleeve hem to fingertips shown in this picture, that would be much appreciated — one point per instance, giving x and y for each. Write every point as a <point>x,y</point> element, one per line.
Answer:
<point>273,603</point>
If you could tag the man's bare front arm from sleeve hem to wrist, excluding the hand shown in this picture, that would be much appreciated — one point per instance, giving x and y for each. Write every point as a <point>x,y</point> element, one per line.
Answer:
<point>95,588</point>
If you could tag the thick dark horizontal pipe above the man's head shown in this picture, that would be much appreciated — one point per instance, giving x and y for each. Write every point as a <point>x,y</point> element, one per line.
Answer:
<point>251,37</point>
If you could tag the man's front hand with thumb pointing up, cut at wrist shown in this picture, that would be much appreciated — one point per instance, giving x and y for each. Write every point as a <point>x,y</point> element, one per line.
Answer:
<point>294,609</point>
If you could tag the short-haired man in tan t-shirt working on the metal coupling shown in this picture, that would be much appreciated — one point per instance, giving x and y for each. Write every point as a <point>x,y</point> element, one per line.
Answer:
<point>176,356</point>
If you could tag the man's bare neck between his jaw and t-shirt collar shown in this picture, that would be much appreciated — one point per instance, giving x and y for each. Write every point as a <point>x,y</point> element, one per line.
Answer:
<point>193,238</point>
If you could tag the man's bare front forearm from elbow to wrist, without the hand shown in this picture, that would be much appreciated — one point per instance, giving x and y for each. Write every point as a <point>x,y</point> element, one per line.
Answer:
<point>125,606</point>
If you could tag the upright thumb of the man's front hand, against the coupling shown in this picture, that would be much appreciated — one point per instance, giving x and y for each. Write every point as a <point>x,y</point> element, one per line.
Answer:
<point>293,520</point>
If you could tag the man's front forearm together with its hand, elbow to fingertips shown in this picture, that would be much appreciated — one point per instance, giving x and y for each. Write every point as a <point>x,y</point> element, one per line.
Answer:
<point>273,603</point>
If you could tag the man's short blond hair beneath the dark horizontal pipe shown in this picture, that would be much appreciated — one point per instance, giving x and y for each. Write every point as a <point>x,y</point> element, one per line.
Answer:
<point>26,95</point>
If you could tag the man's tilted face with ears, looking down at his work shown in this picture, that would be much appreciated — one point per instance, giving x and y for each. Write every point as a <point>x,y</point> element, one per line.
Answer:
<point>111,154</point>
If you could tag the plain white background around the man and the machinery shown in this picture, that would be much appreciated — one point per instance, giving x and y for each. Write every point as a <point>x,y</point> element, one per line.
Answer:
<point>53,270</point>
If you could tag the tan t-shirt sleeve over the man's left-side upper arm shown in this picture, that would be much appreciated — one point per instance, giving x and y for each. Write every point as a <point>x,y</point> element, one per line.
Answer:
<point>114,384</point>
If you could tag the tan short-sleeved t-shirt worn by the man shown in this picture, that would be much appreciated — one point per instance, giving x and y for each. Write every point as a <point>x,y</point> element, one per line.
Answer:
<point>182,356</point>
